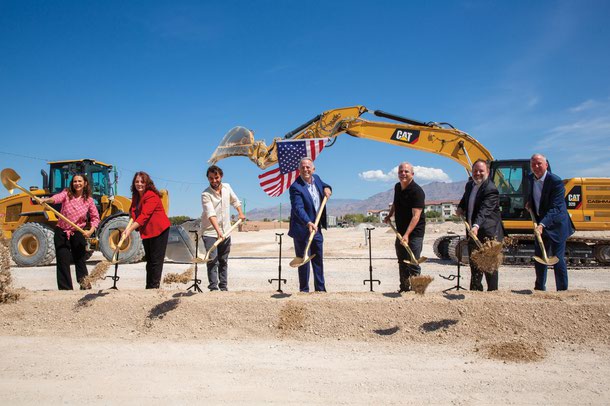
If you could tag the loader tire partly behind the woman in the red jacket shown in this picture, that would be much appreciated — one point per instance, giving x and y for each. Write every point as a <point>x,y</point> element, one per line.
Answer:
<point>132,250</point>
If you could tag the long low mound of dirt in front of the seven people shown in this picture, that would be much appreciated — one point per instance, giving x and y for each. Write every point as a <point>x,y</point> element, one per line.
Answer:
<point>476,318</point>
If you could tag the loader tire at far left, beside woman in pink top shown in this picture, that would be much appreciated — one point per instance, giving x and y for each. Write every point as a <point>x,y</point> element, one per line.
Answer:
<point>32,245</point>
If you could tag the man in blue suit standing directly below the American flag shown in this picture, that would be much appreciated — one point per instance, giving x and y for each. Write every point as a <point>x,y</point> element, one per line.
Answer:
<point>306,195</point>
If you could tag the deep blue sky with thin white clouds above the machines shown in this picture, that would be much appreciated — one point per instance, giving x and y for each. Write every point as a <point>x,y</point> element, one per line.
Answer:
<point>154,85</point>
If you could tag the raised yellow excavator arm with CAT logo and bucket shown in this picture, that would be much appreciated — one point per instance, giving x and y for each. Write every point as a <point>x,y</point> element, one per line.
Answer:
<point>438,138</point>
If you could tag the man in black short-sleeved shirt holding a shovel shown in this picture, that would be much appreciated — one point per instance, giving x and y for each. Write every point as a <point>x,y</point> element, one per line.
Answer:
<point>408,209</point>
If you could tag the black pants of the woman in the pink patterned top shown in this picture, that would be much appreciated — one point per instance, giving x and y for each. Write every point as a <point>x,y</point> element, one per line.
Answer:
<point>66,249</point>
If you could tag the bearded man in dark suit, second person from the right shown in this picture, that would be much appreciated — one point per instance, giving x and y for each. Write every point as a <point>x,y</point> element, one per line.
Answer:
<point>480,205</point>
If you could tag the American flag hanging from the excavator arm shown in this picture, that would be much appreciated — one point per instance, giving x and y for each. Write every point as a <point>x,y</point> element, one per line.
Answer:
<point>289,154</point>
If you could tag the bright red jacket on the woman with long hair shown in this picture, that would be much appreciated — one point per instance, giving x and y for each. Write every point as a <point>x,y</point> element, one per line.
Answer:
<point>150,215</point>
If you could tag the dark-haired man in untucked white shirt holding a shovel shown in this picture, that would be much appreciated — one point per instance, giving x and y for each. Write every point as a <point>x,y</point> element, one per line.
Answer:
<point>216,201</point>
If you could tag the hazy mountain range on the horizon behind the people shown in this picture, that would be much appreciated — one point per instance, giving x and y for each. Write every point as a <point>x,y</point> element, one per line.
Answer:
<point>379,201</point>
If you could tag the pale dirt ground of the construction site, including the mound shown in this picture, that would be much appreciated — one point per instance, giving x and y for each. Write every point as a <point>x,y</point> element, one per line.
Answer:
<point>348,346</point>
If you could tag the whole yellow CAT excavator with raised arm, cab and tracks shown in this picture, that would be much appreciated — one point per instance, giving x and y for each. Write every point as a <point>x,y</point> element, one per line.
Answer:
<point>587,199</point>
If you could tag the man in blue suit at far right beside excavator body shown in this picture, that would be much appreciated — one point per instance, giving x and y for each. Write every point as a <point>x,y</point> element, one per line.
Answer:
<point>547,200</point>
